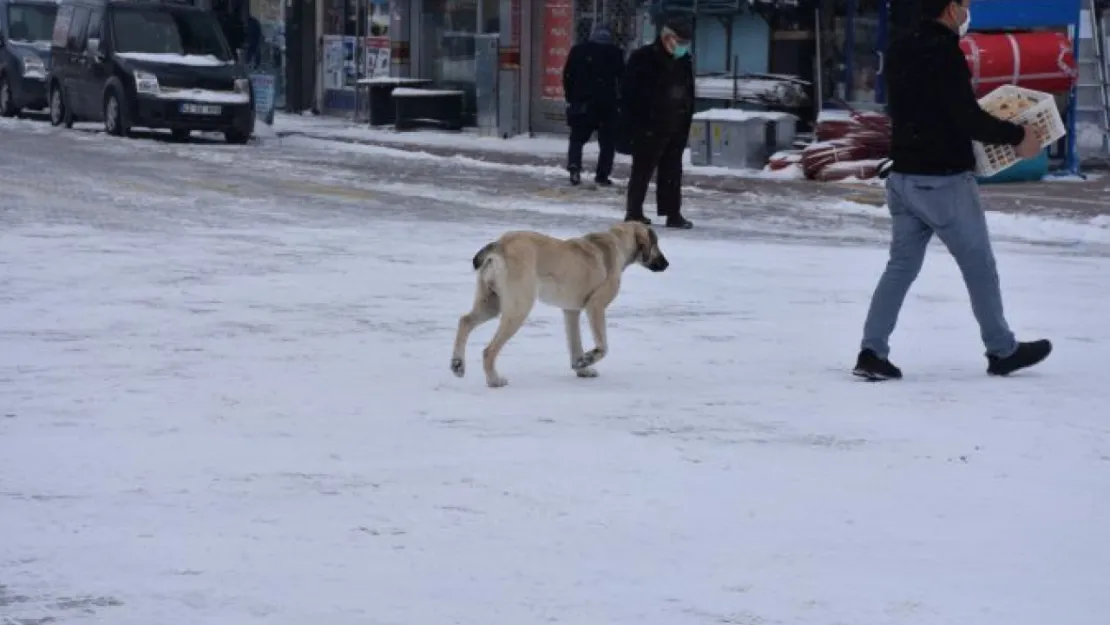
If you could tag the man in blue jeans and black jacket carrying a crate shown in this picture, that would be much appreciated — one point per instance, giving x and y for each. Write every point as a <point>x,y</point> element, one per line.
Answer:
<point>933,190</point>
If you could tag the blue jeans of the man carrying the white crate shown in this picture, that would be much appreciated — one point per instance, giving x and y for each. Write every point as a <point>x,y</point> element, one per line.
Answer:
<point>950,207</point>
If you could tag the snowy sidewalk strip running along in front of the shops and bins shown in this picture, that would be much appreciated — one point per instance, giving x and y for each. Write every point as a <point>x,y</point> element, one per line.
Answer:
<point>1074,199</point>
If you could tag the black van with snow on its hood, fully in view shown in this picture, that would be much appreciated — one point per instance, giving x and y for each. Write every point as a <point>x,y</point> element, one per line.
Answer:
<point>154,64</point>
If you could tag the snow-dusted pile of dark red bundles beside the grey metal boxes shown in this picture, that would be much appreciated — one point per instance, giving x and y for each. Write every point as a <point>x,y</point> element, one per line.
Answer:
<point>847,147</point>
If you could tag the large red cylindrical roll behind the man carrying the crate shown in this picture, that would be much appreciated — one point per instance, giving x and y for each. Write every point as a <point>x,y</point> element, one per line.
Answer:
<point>1043,62</point>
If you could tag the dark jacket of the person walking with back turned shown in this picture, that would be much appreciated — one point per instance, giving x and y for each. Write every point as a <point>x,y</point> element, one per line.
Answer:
<point>592,79</point>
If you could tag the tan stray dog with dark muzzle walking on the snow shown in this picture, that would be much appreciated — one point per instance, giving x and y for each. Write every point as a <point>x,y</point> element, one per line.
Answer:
<point>574,275</point>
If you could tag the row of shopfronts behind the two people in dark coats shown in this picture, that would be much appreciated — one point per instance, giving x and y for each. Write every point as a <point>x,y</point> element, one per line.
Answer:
<point>508,56</point>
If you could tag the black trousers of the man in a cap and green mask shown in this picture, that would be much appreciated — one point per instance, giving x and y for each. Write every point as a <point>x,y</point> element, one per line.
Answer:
<point>662,157</point>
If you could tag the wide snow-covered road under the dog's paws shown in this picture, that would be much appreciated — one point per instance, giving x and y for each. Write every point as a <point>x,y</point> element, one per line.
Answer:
<point>225,399</point>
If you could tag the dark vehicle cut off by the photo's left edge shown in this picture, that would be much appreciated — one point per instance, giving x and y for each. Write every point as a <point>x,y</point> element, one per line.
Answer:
<point>26,27</point>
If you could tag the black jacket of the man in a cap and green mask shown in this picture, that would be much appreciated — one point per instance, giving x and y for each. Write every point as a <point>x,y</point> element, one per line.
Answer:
<point>648,110</point>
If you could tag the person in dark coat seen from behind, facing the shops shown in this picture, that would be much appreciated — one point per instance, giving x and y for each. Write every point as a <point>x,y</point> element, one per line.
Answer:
<point>591,85</point>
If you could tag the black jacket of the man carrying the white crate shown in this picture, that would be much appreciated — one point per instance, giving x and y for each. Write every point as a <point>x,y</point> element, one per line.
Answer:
<point>933,106</point>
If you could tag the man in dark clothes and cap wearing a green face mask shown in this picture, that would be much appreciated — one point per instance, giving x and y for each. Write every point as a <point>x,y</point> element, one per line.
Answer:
<point>658,109</point>
